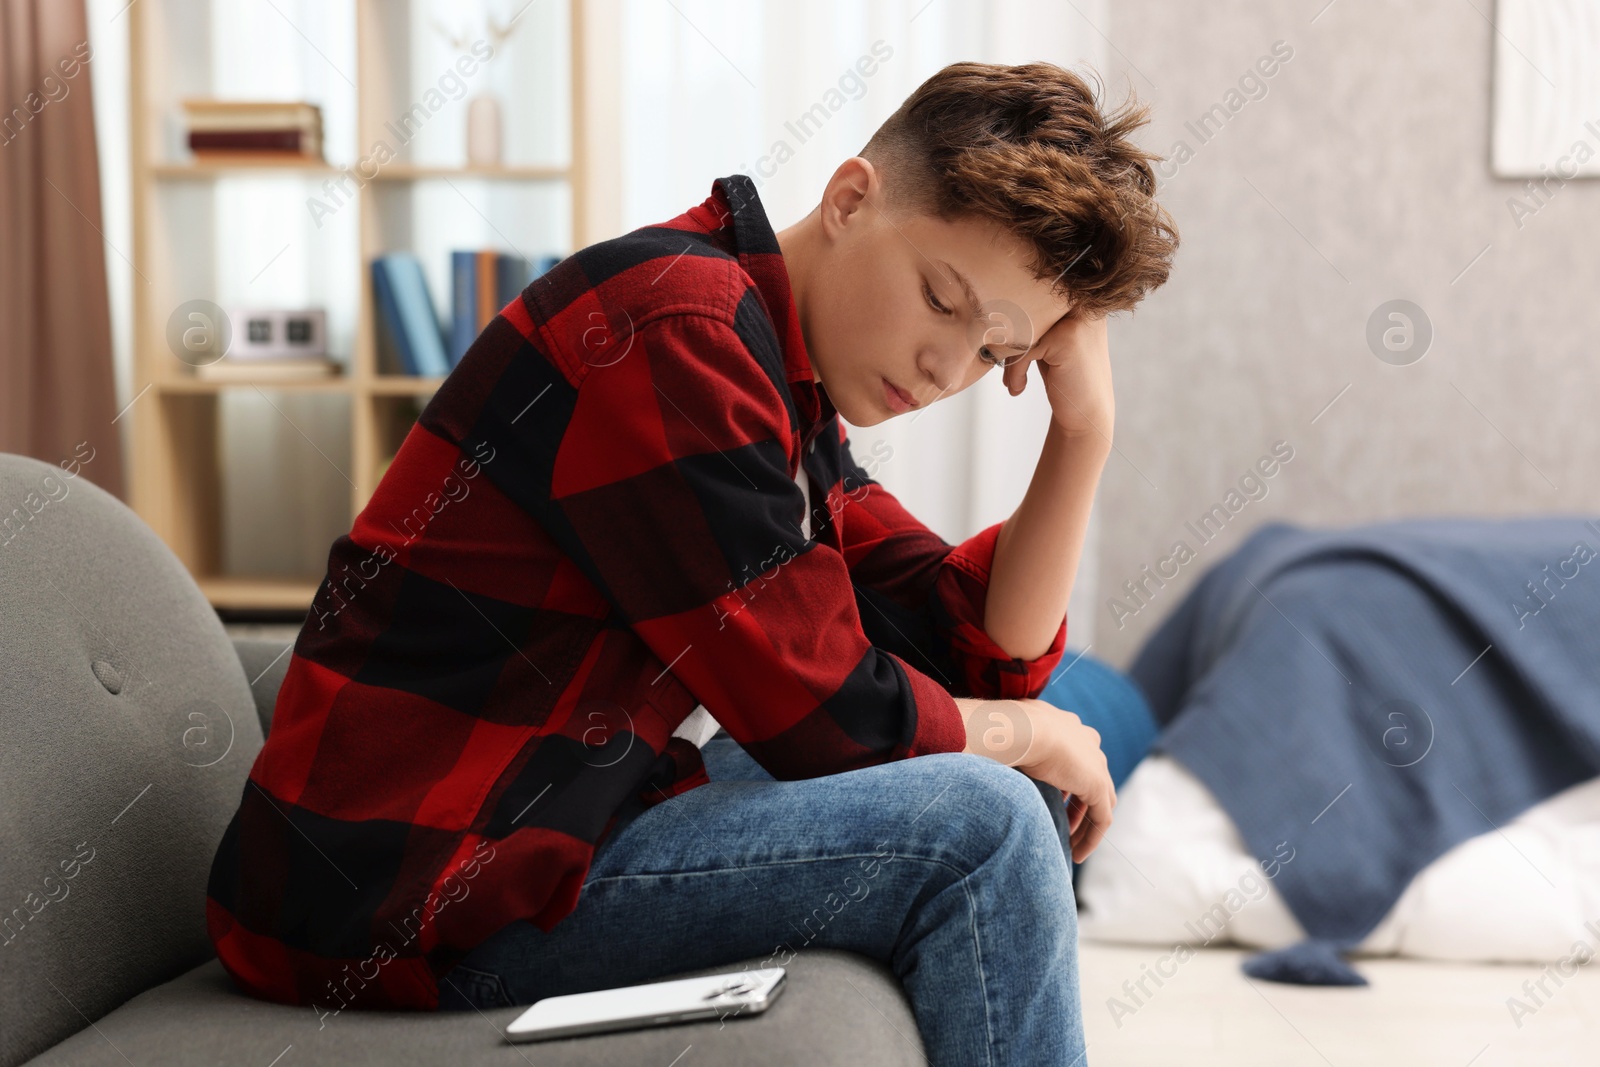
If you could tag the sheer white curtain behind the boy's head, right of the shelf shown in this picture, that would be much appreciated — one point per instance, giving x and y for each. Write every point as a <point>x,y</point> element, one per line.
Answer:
<point>711,87</point>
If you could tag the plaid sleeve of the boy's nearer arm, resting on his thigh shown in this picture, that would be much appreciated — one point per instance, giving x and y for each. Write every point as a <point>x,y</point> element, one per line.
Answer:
<point>674,494</point>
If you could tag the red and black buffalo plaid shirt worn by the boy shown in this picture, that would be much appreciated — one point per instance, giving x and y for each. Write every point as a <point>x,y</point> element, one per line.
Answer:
<point>594,527</point>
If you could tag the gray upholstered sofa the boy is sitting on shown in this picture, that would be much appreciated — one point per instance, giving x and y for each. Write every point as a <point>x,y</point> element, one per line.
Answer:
<point>129,722</point>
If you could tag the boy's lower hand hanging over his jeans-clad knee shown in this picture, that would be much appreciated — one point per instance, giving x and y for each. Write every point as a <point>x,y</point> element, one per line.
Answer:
<point>1054,746</point>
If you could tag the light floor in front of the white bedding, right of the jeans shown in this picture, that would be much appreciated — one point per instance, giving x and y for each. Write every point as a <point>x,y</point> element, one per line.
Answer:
<point>1414,1015</point>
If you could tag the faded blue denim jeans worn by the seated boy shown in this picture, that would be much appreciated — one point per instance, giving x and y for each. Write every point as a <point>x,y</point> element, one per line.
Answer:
<point>946,868</point>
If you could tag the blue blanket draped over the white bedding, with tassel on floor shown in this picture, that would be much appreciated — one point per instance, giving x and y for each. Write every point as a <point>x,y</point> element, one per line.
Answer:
<point>1377,695</point>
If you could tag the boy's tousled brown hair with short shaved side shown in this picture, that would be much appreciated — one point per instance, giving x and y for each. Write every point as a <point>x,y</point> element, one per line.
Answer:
<point>1028,148</point>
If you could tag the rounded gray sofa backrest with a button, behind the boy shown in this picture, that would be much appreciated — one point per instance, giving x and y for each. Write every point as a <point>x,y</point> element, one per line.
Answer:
<point>127,730</point>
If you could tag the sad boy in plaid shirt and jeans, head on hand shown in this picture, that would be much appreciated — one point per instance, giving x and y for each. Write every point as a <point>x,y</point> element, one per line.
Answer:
<point>631,516</point>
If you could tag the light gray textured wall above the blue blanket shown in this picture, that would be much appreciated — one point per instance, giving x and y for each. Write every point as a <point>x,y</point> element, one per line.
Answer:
<point>1361,177</point>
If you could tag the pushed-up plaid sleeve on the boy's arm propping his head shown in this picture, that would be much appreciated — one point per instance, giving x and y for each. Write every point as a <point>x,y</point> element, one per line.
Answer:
<point>927,597</point>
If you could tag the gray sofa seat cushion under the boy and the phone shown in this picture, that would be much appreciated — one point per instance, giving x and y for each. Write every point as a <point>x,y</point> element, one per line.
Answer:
<point>838,1009</point>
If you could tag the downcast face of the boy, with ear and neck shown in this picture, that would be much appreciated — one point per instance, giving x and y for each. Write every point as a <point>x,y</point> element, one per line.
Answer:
<point>884,310</point>
